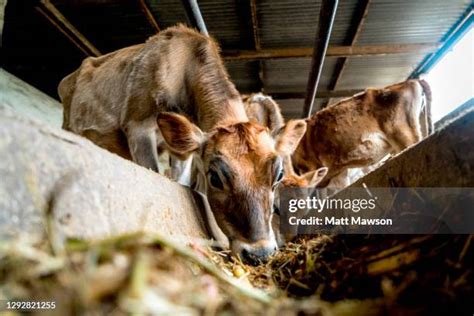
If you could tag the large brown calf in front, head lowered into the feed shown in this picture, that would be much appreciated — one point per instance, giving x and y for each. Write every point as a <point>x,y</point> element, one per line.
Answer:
<point>173,92</point>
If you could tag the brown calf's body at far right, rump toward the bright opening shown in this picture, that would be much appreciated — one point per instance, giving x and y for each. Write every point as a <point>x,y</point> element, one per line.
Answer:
<point>361,130</point>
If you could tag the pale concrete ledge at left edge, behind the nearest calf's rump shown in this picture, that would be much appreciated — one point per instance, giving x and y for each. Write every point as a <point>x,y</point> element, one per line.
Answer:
<point>20,97</point>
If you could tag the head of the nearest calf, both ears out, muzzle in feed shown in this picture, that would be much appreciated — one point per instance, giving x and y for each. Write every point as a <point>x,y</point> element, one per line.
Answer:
<point>240,166</point>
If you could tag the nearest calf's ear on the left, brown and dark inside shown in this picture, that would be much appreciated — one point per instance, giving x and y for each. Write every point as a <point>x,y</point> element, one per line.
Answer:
<point>181,136</point>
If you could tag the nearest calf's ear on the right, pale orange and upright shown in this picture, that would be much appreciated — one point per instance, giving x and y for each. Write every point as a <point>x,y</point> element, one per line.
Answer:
<point>289,136</point>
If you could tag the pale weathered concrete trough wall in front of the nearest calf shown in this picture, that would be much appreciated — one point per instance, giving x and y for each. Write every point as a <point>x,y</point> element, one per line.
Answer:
<point>89,192</point>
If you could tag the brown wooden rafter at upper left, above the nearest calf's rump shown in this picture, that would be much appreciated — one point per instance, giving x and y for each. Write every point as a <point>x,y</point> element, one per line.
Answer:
<point>59,21</point>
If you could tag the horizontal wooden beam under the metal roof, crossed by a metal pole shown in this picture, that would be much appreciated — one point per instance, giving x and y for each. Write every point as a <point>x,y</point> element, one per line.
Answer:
<point>332,51</point>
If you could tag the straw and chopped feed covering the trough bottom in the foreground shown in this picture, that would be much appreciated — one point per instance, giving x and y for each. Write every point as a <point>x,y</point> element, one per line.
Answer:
<point>315,275</point>
